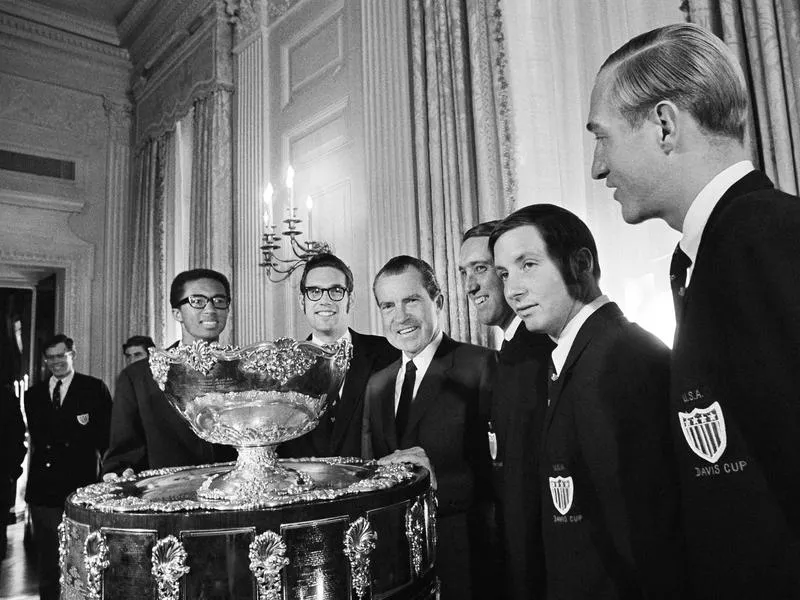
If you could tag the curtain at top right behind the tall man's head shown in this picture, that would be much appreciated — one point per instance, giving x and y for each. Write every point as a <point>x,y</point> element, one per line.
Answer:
<point>765,35</point>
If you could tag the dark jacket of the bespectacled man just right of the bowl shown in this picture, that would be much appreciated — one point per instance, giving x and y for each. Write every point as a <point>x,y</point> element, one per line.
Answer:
<point>339,430</point>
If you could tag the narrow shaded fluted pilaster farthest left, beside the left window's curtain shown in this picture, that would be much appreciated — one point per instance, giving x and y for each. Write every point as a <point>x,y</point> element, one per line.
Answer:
<point>116,273</point>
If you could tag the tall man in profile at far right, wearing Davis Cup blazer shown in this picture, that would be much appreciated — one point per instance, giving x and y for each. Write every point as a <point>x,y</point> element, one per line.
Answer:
<point>672,144</point>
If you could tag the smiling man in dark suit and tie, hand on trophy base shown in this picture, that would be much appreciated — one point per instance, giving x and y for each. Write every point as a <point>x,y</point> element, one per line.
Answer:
<point>430,399</point>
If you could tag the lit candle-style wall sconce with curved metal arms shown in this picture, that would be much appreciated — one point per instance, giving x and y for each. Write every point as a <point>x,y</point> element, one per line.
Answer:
<point>280,268</point>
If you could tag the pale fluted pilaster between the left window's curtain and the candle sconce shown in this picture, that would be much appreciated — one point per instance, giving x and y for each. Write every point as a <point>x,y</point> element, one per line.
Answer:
<point>253,303</point>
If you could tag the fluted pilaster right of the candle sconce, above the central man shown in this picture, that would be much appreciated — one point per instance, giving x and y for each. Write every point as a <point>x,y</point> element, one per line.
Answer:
<point>387,134</point>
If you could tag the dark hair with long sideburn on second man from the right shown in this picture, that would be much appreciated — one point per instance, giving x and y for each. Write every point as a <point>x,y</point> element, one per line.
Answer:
<point>564,234</point>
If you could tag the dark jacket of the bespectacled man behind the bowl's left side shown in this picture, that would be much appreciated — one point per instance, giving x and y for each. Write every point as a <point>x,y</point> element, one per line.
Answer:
<point>147,433</point>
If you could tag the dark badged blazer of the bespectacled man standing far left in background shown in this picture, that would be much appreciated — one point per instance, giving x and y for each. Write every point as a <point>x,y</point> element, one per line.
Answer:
<point>66,443</point>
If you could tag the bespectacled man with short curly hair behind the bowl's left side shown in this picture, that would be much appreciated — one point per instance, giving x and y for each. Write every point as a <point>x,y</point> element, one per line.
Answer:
<point>146,433</point>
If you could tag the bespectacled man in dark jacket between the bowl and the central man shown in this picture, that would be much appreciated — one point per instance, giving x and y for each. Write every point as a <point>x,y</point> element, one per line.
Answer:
<point>326,295</point>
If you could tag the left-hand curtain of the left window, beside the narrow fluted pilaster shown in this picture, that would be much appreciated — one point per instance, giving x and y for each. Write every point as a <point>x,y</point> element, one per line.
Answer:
<point>149,304</point>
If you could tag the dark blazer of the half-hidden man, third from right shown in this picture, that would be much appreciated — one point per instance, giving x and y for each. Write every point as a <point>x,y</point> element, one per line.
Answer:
<point>519,398</point>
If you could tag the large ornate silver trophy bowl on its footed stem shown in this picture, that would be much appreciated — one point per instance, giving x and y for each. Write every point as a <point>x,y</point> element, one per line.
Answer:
<point>252,398</point>
